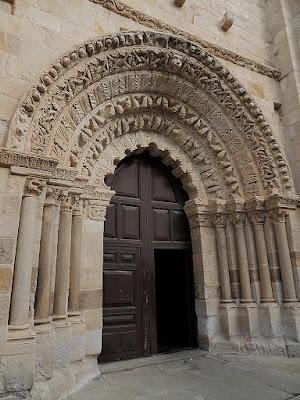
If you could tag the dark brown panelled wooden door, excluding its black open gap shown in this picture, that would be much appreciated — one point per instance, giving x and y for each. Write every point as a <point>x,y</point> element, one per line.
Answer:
<point>146,215</point>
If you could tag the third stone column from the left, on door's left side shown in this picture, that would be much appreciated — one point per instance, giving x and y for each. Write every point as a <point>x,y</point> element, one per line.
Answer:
<point>63,259</point>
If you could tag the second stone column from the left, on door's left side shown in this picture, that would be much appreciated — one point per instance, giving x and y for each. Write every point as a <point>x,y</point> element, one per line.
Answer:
<point>46,267</point>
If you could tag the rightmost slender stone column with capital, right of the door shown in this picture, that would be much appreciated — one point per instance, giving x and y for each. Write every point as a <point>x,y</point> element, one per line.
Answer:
<point>278,217</point>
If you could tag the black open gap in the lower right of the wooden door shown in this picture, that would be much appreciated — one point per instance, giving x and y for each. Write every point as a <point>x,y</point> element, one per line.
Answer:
<point>175,300</point>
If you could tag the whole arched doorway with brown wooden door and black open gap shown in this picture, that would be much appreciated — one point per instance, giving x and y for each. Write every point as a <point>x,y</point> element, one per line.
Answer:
<point>148,301</point>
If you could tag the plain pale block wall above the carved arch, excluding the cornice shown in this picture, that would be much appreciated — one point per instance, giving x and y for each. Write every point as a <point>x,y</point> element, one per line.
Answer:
<point>40,31</point>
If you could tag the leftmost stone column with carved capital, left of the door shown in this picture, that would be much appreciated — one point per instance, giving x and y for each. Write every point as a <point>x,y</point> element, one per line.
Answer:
<point>20,298</point>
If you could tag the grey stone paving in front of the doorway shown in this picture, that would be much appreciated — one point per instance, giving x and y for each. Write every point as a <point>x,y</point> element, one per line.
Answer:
<point>196,375</point>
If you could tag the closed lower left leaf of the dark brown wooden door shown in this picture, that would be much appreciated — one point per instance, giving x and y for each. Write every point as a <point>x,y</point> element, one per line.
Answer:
<point>121,304</point>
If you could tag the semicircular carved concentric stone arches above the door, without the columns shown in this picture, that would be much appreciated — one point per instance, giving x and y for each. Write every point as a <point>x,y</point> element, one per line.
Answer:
<point>172,90</point>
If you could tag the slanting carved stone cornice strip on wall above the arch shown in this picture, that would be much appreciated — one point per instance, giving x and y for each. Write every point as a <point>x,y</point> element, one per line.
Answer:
<point>126,11</point>
